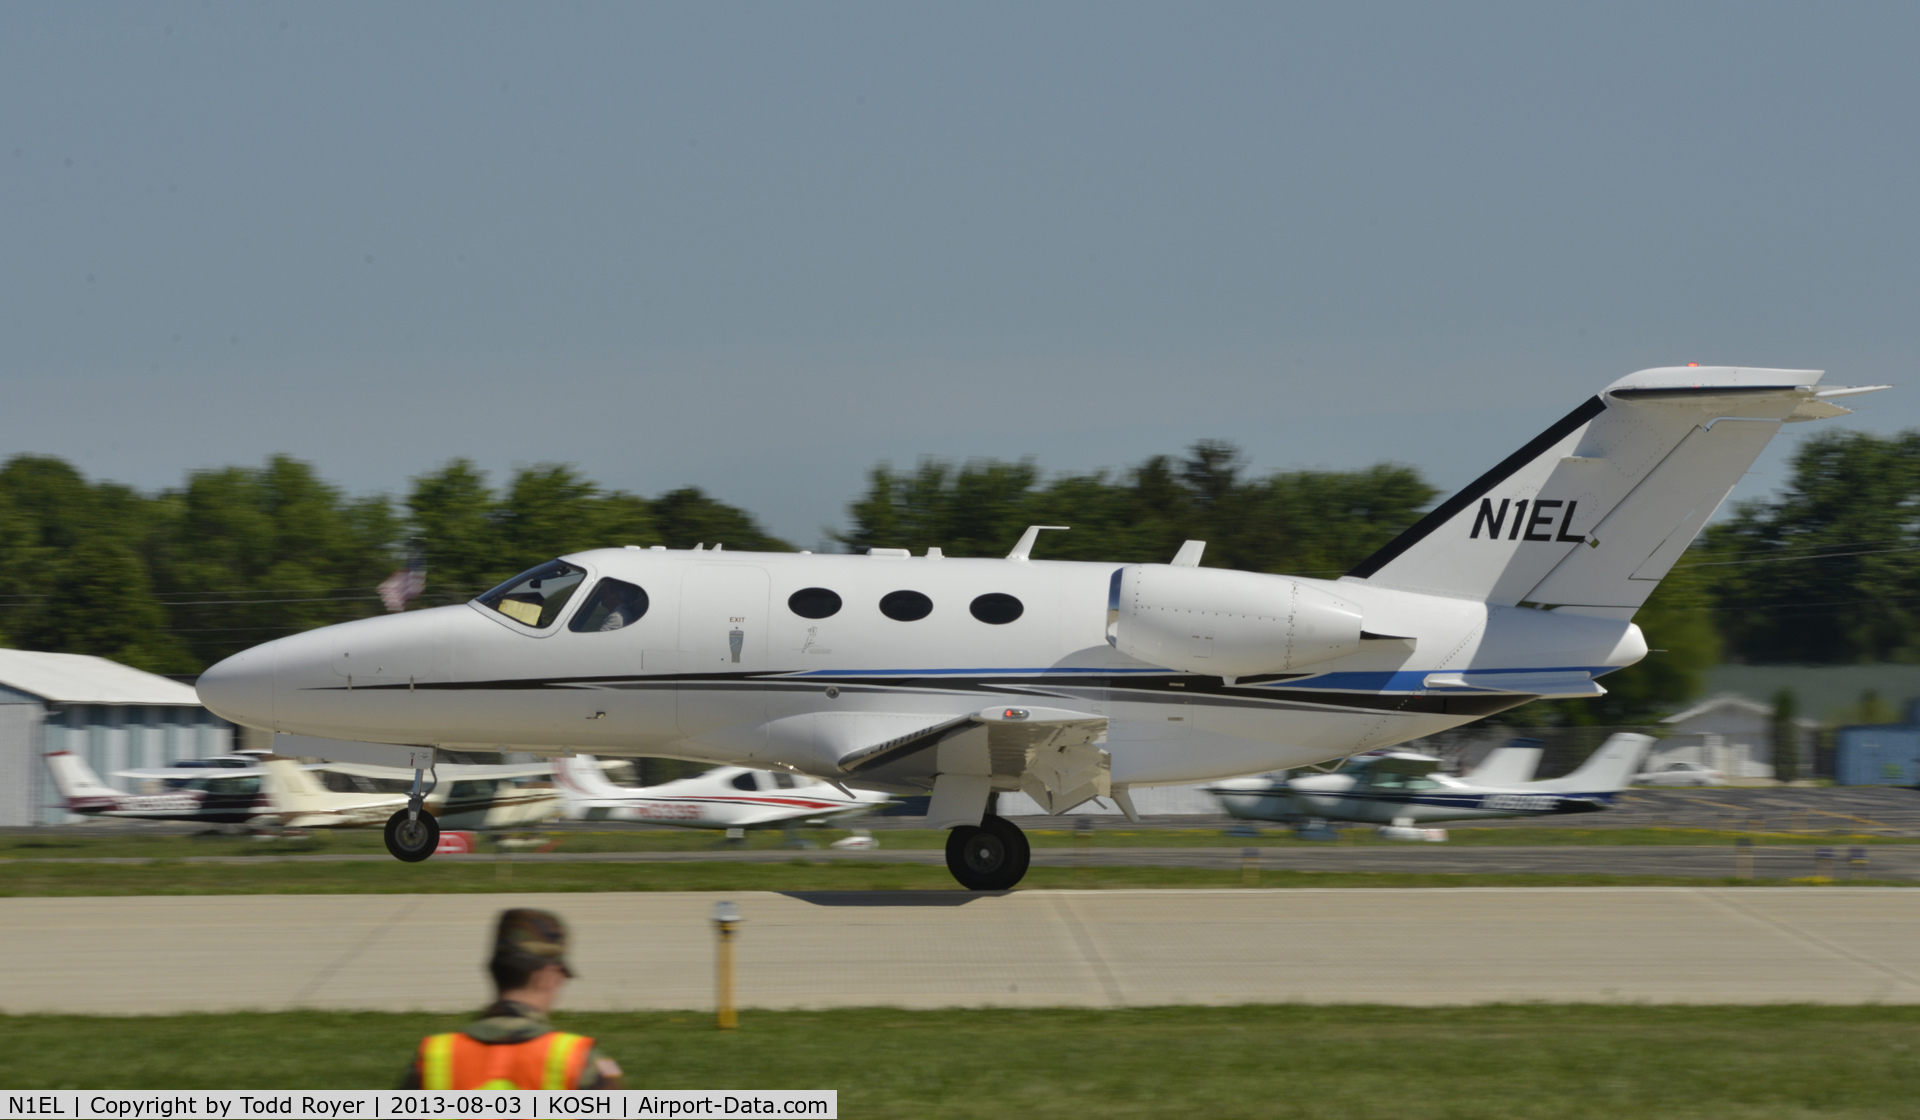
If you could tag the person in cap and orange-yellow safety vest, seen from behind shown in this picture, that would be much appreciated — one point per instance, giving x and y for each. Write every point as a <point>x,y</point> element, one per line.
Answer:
<point>512,1046</point>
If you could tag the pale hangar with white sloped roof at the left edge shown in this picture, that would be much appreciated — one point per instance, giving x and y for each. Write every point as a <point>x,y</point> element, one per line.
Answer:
<point>108,714</point>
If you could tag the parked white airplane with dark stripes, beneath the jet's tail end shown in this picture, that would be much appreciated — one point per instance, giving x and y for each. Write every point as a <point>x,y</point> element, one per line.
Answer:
<point>1403,791</point>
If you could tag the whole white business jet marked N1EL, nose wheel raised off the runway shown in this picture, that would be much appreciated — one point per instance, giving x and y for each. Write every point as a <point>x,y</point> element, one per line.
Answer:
<point>1067,681</point>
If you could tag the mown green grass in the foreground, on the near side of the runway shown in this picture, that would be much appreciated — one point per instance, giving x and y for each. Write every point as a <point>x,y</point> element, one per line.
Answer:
<point>1499,1061</point>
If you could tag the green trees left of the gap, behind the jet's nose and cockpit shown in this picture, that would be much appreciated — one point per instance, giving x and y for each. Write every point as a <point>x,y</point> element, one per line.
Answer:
<point>176,581</point>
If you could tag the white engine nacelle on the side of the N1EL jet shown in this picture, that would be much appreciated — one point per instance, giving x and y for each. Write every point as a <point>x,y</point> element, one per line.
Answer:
<point>1226,623</point>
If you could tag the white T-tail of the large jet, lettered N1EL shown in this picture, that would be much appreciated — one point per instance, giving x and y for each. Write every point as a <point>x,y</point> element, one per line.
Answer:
<point>1596,510</point>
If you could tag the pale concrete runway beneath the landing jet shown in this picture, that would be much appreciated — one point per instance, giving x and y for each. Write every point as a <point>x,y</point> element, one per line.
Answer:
<point>959,950</point>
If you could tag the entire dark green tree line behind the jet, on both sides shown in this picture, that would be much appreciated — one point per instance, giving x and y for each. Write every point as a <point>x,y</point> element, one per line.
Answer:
<point>1829,572</point>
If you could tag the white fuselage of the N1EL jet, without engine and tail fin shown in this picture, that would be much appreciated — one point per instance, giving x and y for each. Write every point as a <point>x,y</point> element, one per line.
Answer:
<point>721,670</point>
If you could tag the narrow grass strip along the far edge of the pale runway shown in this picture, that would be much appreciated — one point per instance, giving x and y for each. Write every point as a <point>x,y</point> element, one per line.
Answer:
<point>798,875</point>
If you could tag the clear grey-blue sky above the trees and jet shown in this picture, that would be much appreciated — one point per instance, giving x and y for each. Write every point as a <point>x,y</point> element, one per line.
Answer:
<point>759,249</point>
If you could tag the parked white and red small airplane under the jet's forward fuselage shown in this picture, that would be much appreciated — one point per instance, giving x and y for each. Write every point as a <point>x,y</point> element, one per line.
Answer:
<point>721,798</point>
